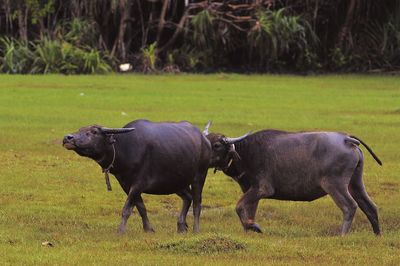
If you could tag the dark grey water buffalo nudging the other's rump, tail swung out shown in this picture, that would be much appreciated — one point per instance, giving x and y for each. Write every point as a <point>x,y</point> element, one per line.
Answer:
<point>300,166</point>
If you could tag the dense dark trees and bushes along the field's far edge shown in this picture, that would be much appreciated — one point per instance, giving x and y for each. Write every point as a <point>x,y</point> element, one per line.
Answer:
<point>93,36</point>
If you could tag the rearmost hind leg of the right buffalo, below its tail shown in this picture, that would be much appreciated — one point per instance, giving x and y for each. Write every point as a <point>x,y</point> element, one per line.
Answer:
<point>357,190</point>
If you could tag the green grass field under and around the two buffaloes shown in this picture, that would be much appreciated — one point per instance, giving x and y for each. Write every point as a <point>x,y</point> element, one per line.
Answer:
<point>50,194</point>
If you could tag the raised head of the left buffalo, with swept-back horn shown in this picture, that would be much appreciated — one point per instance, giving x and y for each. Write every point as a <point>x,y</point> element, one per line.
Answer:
<point>92,141</point>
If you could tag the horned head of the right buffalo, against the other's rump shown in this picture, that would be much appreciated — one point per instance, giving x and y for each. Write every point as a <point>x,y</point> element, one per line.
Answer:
<point>223,148</point>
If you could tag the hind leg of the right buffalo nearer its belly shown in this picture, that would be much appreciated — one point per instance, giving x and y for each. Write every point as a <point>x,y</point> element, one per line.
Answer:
<point>341,196</point>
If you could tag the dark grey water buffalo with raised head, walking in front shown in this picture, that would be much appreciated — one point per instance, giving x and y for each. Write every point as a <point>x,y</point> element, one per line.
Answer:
<point>152,158</point>
